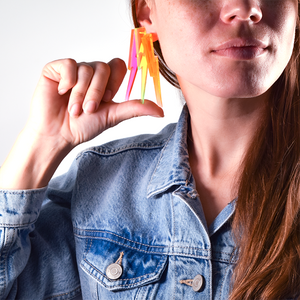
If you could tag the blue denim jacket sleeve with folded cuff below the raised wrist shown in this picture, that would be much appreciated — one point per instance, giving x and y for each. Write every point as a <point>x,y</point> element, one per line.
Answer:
<point>37,250</point>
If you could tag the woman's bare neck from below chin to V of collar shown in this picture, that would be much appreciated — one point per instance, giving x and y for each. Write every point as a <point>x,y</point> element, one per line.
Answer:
<point>221,131</point>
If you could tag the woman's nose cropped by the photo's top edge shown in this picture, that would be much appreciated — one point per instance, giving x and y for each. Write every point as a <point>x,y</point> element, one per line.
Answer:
<point>241,10</point>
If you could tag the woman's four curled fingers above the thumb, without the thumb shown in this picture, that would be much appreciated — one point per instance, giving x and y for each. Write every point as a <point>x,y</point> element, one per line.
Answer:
<point>90,83</point>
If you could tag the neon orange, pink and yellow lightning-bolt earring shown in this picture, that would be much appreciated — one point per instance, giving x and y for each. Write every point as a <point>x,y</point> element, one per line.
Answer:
<point>141,57</point>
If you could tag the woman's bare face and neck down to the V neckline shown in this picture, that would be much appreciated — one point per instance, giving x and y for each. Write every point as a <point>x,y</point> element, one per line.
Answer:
<point>225,90</point>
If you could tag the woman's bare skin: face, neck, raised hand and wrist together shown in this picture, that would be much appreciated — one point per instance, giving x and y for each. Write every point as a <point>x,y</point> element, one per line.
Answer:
<point>225,93</point>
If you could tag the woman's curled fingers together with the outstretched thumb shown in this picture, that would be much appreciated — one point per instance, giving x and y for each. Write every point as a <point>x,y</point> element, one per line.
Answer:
<point>92,83</point>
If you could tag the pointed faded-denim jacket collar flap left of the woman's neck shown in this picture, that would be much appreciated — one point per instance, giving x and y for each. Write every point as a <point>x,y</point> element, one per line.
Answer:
<point>173,166</point>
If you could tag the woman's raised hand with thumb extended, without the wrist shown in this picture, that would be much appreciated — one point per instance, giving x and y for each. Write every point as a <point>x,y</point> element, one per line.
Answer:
<point>73,102</point>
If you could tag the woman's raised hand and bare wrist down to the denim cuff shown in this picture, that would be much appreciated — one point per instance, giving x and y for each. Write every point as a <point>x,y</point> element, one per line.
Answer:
<point>71,105</point>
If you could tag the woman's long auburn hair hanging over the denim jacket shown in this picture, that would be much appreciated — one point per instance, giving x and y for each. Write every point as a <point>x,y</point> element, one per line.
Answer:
<point>266,223</point>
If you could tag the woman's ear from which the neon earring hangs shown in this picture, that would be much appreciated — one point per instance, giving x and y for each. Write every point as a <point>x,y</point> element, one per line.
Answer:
<point>144,10</point>
